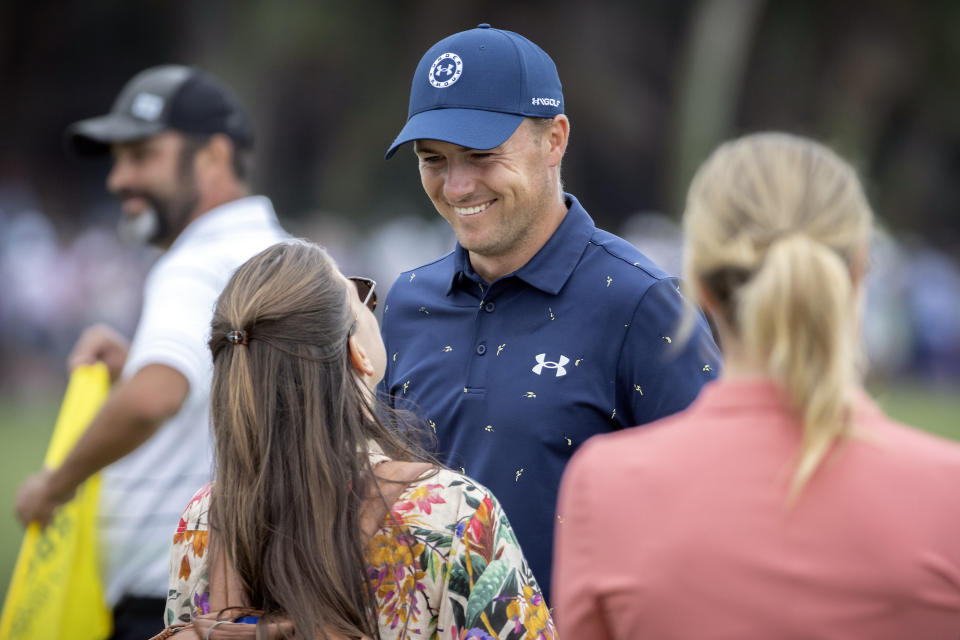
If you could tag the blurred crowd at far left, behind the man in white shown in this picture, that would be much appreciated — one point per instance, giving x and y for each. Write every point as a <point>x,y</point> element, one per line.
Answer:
<point>53,288</point>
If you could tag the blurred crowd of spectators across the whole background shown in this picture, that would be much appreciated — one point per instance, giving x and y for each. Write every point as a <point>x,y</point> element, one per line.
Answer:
<point>55,285</point>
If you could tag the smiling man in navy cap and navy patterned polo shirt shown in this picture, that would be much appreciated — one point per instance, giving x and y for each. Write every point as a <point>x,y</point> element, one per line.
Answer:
<point>539,330</point>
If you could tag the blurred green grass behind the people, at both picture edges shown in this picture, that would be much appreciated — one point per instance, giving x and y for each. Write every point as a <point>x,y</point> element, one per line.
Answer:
<point>26,425</point>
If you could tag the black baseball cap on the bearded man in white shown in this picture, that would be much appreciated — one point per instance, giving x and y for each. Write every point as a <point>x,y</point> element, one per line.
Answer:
<point>177,97</point>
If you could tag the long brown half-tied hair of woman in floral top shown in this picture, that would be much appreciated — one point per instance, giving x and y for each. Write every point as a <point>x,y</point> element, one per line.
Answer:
<point>292,423</point>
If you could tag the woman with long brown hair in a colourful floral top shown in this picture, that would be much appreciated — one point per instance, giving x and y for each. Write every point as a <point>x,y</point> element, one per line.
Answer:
<point>333,524</point>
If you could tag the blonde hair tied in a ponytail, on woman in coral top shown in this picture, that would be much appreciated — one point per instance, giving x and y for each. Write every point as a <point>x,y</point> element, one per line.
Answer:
<point>775,225</point>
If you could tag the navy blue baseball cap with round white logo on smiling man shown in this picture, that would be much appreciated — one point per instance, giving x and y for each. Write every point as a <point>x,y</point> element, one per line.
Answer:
<point>474,88</point>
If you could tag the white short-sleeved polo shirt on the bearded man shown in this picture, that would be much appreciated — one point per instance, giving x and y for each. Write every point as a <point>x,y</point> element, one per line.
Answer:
<point>144,493</point>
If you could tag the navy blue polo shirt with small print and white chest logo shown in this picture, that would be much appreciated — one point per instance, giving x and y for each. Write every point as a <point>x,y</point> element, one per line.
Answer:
<point>513,376</point>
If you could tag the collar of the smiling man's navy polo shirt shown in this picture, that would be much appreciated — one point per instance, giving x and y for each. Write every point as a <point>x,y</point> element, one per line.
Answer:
<point>552,265</point>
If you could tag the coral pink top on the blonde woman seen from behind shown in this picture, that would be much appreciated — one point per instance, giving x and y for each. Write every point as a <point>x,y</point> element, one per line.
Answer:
<point>682,529</point>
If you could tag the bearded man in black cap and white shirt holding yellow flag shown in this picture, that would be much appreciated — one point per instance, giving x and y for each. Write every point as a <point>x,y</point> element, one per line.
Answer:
<point>180,142</point>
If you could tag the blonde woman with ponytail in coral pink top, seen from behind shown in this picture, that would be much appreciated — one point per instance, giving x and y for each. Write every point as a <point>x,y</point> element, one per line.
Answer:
<point>782,503</point>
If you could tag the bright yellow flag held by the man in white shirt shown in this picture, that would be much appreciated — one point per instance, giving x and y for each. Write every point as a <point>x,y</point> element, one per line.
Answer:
<point>57,592</point>
